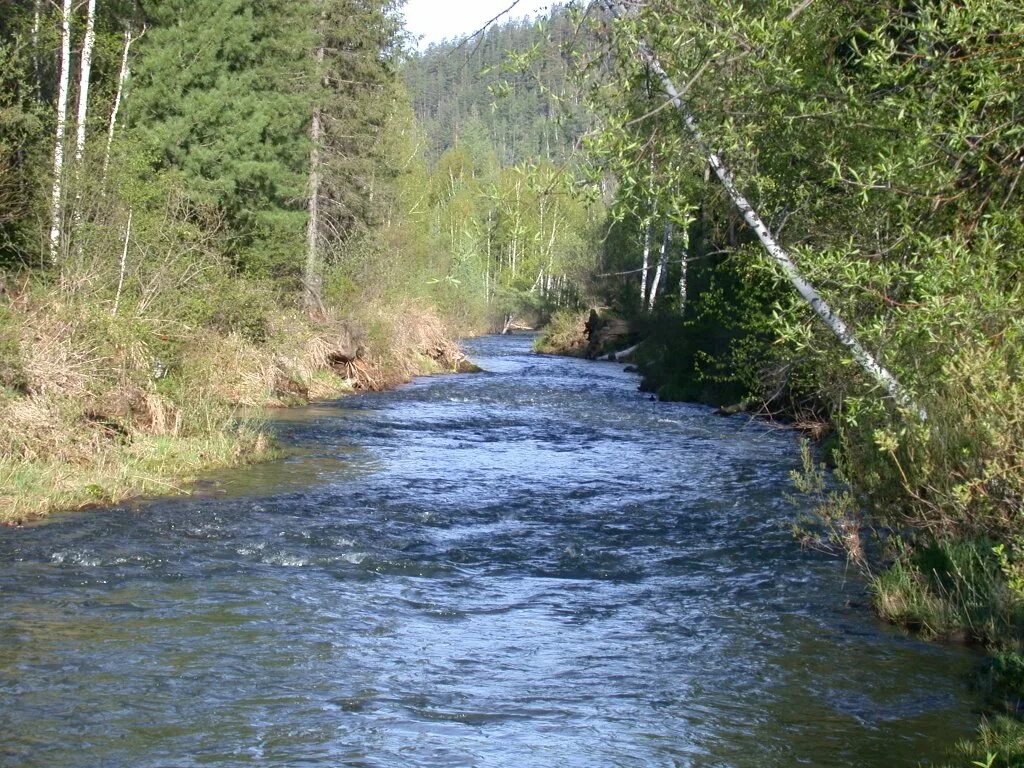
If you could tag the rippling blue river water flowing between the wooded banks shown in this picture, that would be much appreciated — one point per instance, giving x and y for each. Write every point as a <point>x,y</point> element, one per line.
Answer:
<point>532,567</point>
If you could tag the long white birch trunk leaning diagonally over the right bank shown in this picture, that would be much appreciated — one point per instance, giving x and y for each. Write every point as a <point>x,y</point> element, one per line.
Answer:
<point>835,323</point>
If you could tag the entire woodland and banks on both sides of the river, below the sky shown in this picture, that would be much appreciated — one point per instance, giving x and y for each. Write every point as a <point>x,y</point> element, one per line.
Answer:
<point>810,214</point>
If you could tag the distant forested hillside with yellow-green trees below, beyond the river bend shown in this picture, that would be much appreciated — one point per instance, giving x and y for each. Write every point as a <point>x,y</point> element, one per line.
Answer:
<point>502,121</point>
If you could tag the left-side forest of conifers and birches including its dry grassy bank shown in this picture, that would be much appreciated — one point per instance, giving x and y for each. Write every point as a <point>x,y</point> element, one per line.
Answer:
<point>207,208</point>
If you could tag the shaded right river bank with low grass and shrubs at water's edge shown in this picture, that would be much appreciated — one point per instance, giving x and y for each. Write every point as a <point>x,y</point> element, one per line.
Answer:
<point>959,586</point>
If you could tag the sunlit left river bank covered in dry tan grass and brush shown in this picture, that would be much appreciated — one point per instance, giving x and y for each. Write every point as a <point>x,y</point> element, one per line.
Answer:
<point>97,408</point>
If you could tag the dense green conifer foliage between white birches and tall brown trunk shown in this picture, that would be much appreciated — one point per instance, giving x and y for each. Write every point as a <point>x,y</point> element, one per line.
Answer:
<point>224,97</point>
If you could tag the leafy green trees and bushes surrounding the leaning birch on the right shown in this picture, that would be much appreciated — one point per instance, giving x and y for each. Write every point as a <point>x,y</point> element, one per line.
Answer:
<point>883,144</point>
